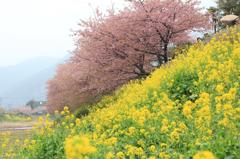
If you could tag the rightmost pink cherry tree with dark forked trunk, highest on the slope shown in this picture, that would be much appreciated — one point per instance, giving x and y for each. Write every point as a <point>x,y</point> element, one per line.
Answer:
<point>171,20</point>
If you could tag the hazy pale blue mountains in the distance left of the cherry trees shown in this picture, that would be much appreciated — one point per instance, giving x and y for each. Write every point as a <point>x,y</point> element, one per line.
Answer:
<point>26,81</point>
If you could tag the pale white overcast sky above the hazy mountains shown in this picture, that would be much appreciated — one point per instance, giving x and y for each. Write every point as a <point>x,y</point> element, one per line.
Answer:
<point>33,28</point>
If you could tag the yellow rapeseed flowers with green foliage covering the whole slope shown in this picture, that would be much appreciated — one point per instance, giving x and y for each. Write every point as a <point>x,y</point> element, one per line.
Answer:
<point>189,108</point>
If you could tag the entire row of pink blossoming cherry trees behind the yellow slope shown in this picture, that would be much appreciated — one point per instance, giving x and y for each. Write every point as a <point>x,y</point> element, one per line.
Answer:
<point>119,46</point>
